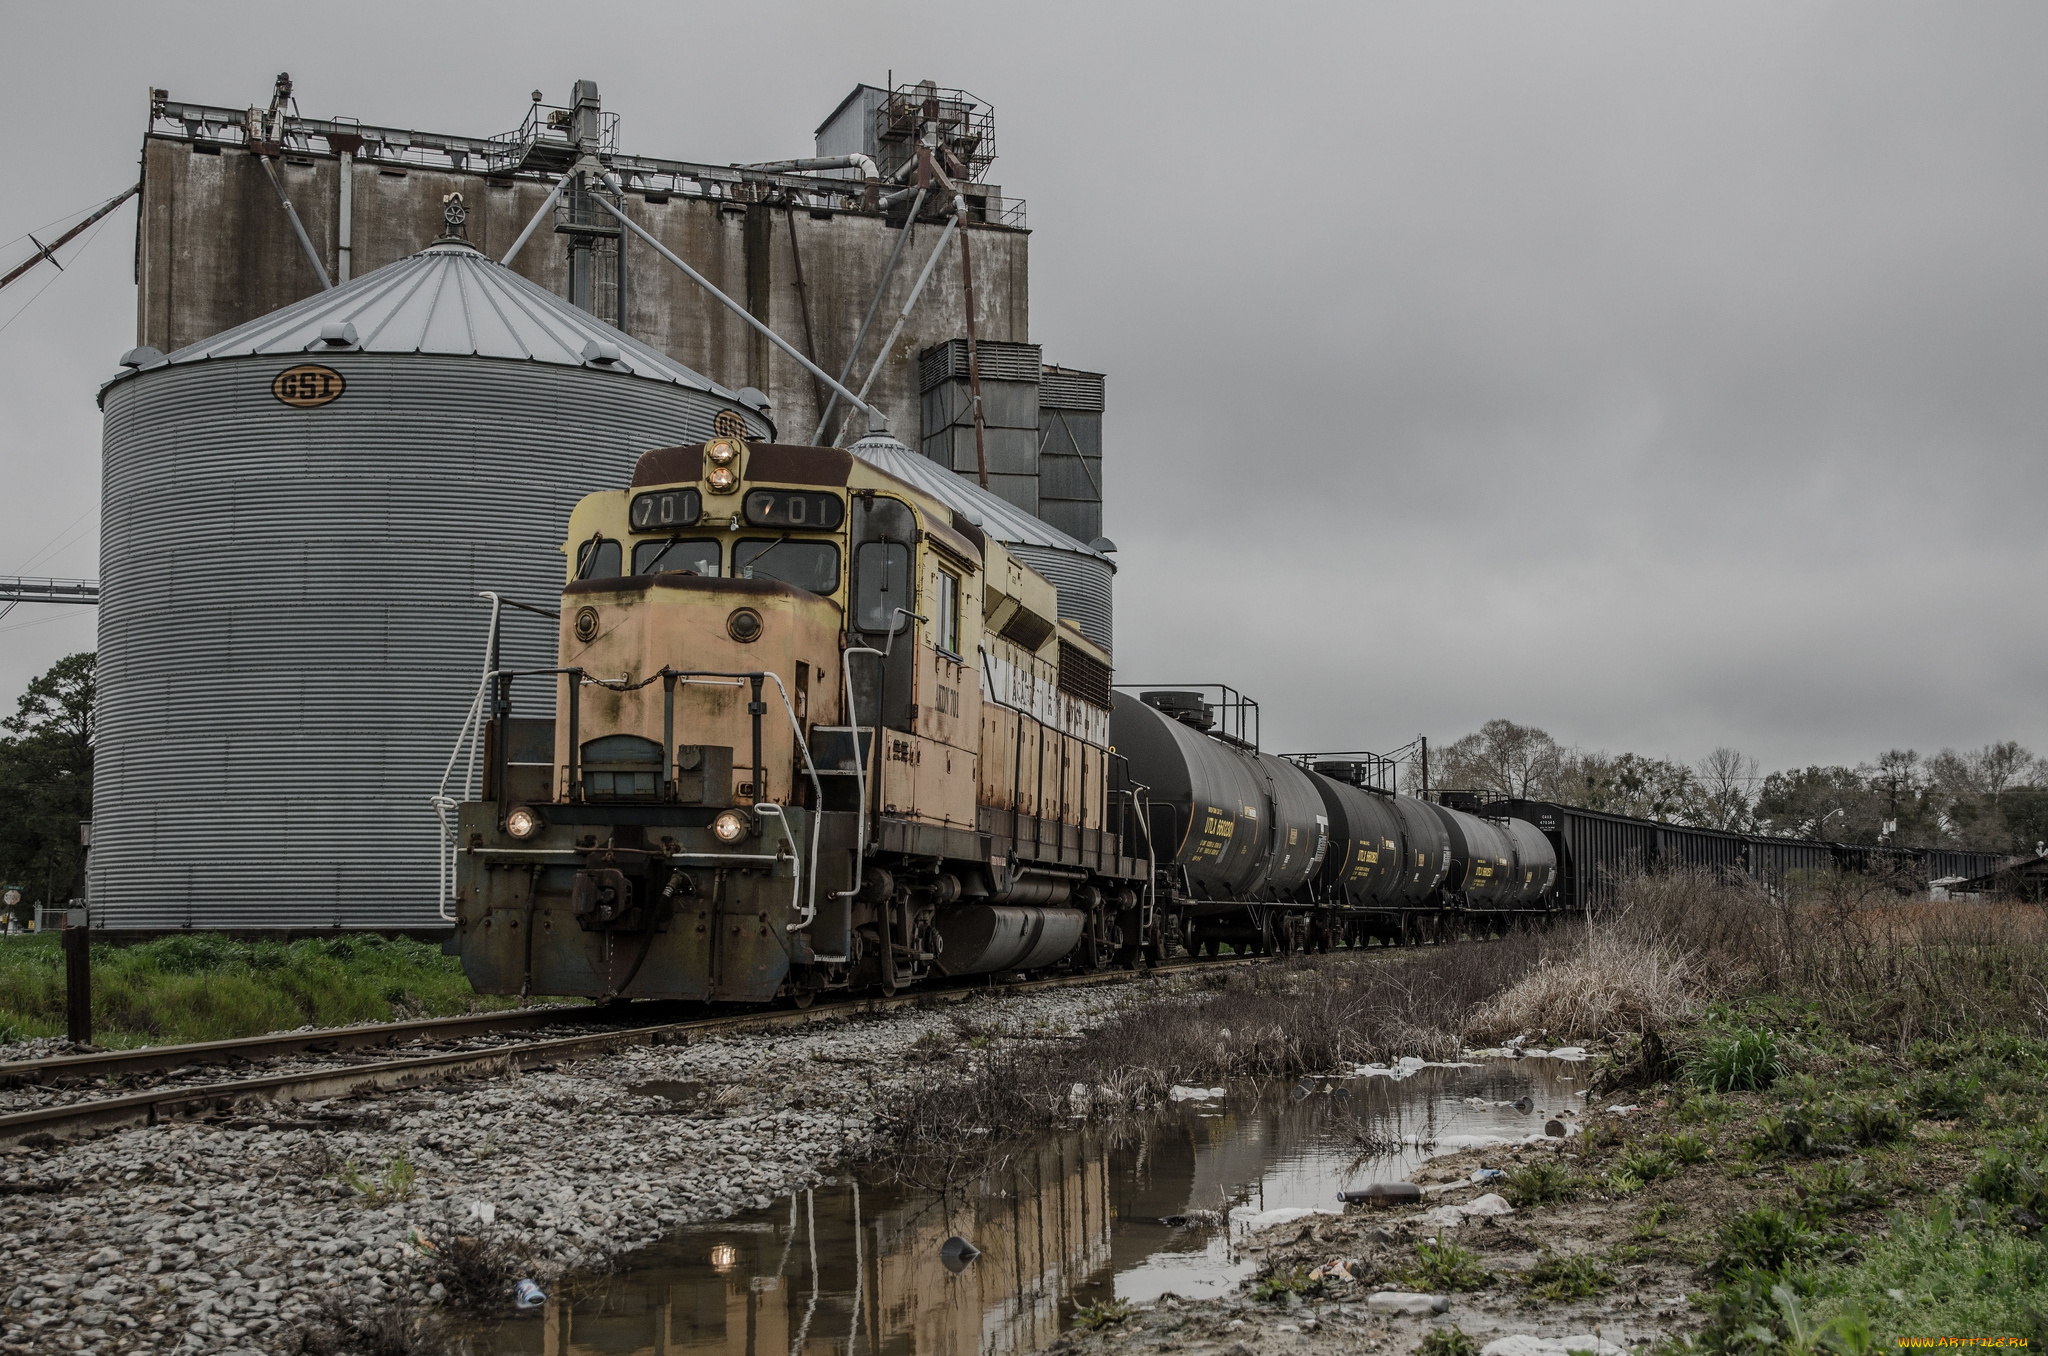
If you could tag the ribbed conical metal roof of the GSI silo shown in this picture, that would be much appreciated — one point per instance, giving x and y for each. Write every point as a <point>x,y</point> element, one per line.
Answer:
<point>445,300</point>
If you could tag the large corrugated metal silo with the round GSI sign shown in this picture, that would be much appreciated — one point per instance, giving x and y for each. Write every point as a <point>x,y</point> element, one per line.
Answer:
<point>298,517</point>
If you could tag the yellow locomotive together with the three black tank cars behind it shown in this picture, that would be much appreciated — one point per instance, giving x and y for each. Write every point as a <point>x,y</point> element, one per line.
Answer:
<point>816,730</point>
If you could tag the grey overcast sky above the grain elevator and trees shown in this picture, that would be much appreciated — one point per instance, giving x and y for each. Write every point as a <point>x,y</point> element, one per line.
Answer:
<point>1662,376</point>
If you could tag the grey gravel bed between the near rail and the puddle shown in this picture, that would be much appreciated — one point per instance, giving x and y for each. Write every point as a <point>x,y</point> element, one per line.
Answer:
<point>228,1238</point>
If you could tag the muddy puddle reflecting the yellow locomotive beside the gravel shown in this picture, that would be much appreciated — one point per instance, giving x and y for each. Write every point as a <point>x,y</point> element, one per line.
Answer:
<point>1132,1214</point>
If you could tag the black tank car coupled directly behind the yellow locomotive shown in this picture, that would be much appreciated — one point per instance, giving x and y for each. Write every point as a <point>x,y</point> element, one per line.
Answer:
<point>1244,827</point>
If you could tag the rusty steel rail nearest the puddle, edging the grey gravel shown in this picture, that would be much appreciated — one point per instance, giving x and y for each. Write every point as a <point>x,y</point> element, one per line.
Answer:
<point>161,1105</point>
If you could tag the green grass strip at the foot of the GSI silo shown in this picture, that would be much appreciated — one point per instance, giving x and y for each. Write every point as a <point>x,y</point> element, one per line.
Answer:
<point>210,988</point>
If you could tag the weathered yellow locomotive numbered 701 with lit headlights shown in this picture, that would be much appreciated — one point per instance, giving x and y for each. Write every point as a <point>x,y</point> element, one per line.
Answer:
<point>765,775</point>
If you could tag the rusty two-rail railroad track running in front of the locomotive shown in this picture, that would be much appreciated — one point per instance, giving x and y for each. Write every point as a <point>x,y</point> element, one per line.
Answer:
<point>50,1124</point>
